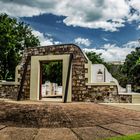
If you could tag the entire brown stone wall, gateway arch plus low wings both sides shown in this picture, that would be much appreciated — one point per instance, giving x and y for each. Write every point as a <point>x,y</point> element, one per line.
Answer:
<point>80,91</point>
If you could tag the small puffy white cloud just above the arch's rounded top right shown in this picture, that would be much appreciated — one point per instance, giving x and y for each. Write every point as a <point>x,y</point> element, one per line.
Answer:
<point>82,41</point>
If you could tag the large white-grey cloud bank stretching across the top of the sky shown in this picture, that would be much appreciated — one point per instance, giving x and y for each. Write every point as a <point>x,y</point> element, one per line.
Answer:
<point>108,15</point>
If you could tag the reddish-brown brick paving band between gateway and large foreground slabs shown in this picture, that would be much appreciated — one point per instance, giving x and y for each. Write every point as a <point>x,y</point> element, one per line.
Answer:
<point>70,115</point>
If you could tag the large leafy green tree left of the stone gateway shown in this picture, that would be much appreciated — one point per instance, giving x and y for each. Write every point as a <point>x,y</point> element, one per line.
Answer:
<point>14,37</point>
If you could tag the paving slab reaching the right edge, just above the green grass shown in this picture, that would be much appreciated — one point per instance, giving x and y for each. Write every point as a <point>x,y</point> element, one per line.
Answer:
<point>122,128</point>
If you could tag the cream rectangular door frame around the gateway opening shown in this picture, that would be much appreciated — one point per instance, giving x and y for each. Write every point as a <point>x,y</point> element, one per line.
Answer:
<point>36,77</point>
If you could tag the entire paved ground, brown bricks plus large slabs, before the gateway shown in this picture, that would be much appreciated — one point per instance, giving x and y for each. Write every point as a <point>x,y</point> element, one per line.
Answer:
<point>71,121</point>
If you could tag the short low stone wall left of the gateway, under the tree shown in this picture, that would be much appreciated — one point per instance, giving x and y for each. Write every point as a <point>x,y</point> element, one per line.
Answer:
<point>9,90</point>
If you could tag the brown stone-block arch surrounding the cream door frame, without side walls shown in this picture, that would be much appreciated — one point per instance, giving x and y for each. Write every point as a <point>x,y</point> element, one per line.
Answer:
<point>79,90</point>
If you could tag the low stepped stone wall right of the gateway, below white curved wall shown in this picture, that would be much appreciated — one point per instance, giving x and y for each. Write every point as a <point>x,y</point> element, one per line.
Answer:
<point>106,94</point>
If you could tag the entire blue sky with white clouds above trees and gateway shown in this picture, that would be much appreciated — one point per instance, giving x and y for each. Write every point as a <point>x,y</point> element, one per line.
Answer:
<point>110,27</point>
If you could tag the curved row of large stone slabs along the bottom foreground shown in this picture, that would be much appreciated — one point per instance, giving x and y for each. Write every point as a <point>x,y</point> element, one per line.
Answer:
<point>80,133</point>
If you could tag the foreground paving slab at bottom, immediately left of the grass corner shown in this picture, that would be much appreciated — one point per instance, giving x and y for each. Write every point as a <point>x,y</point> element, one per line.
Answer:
<point>93,133</point>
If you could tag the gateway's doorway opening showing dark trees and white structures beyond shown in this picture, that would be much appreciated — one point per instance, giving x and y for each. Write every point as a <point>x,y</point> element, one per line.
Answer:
<point>51,80</point>
